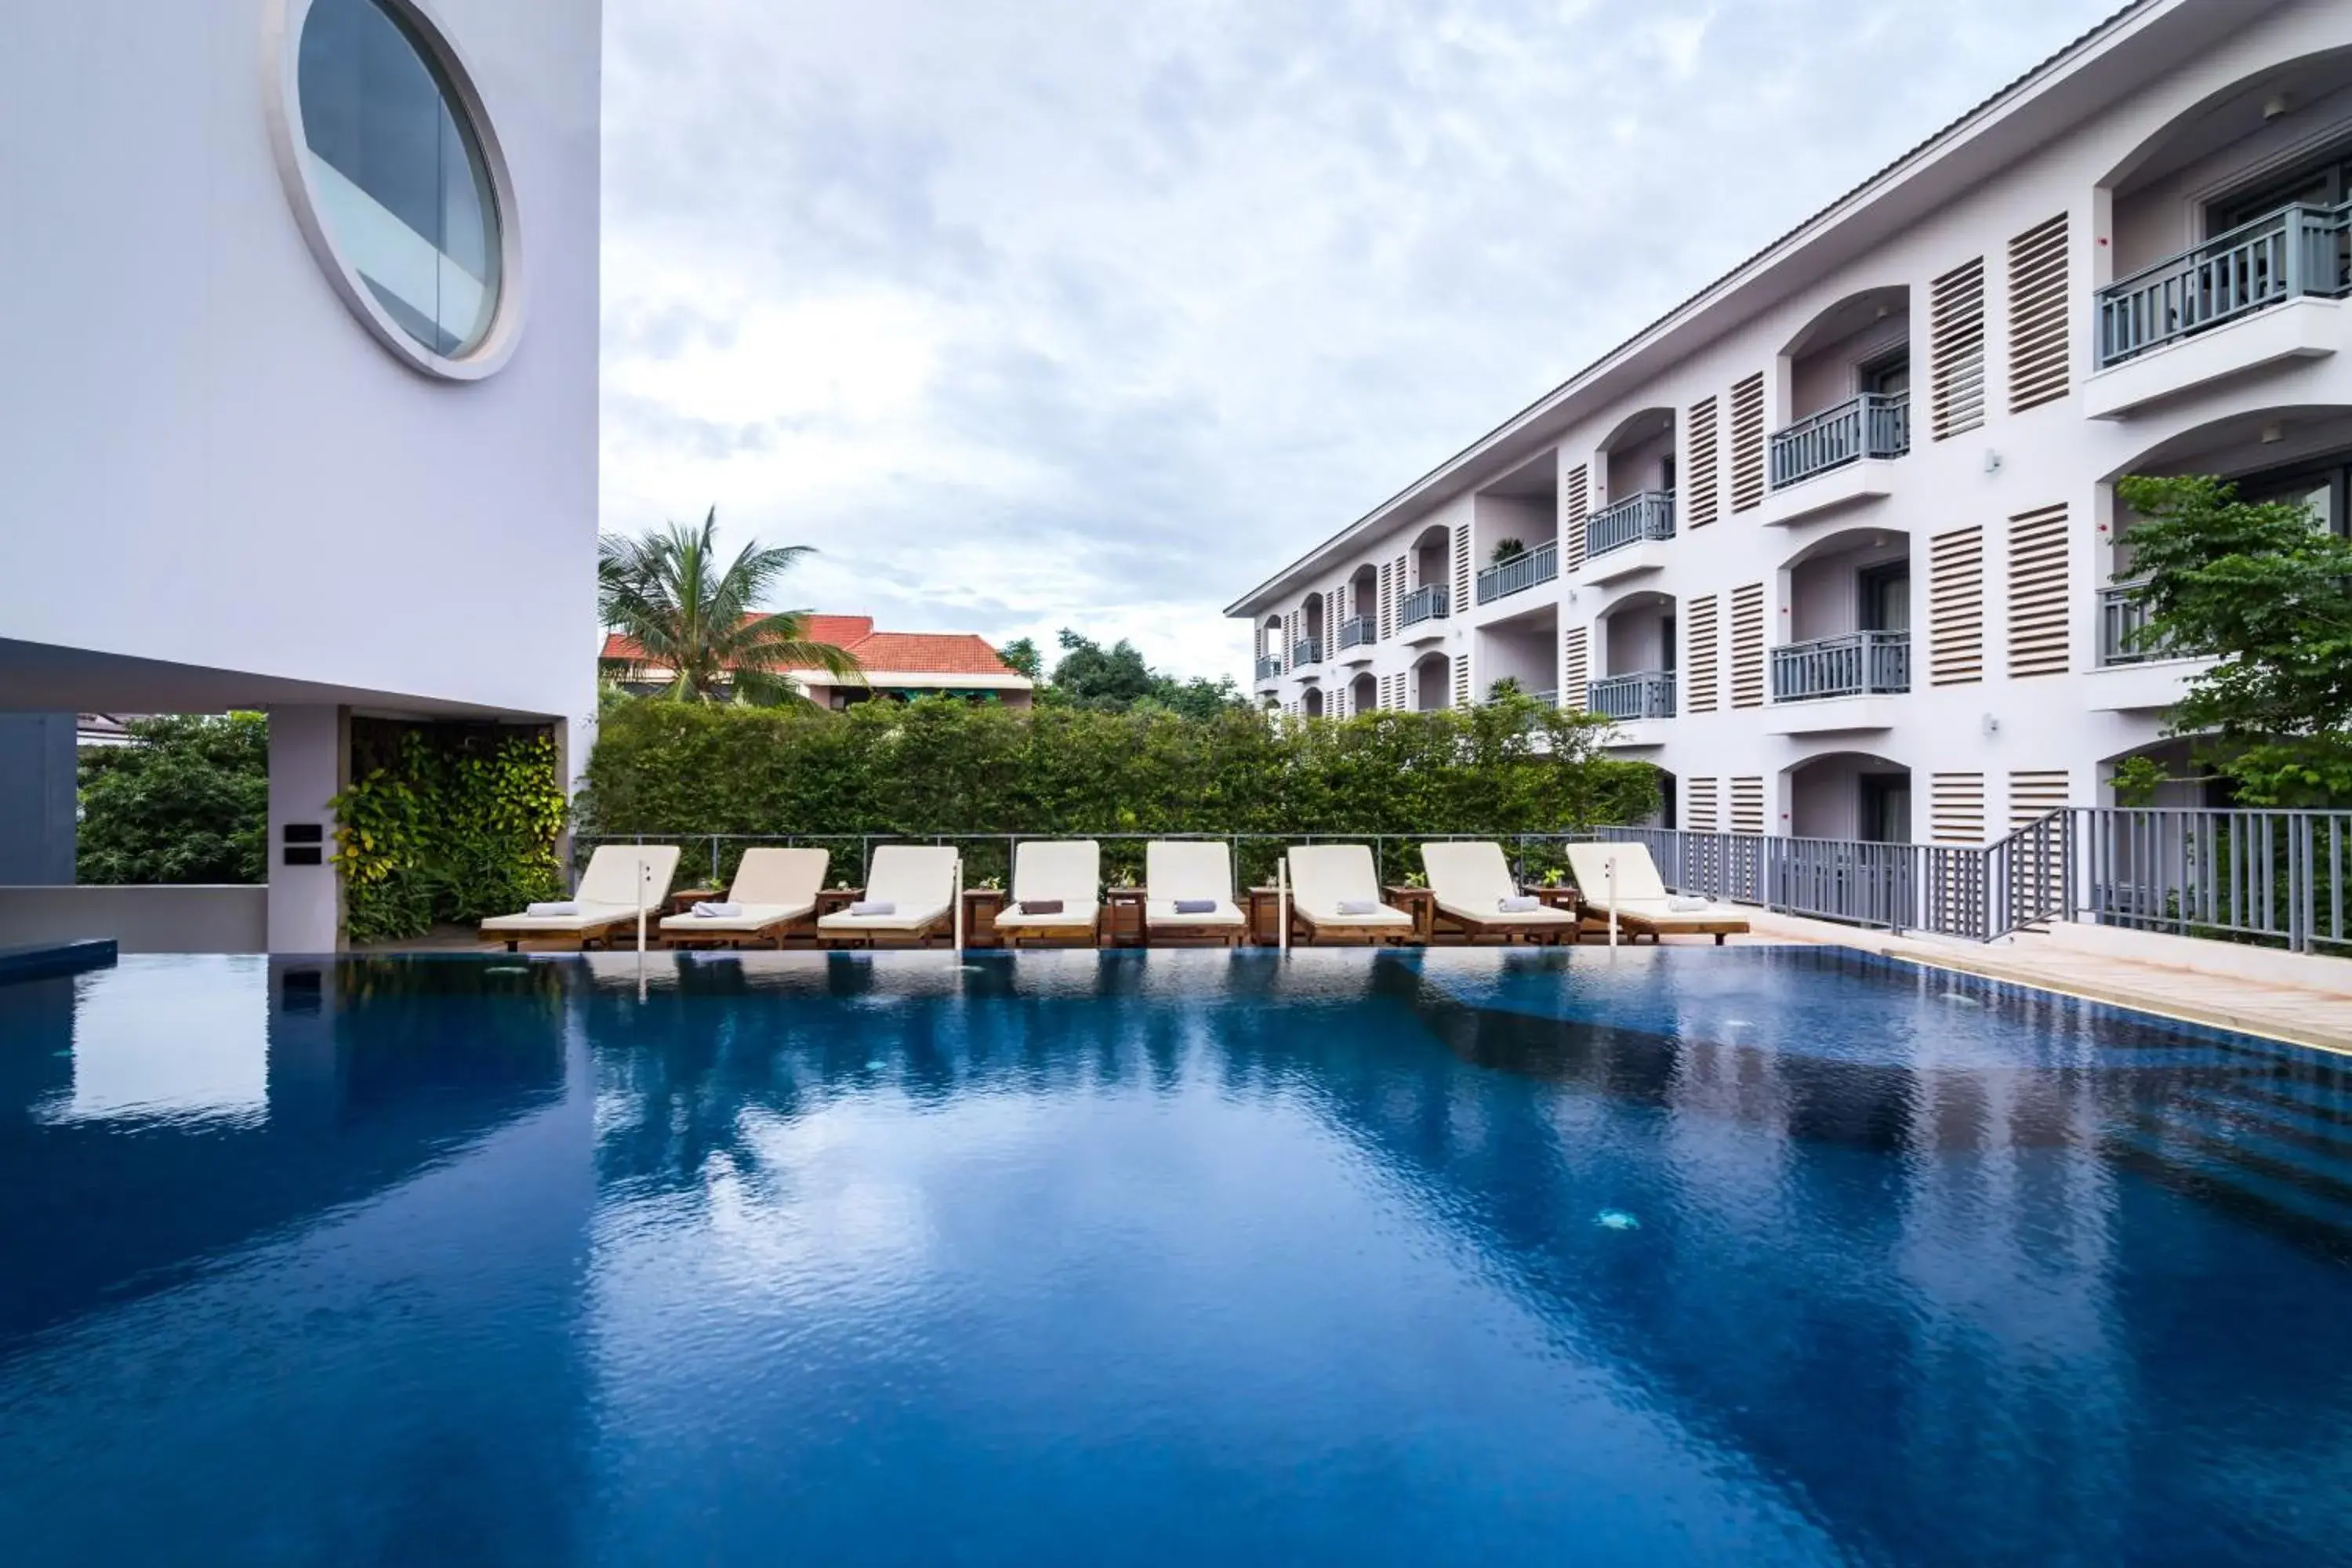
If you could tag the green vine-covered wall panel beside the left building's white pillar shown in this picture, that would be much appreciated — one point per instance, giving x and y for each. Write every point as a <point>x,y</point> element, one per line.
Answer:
<point>446,824</point>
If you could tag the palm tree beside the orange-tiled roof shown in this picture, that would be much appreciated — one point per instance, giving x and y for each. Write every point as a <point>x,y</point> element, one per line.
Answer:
<point>690,612</point>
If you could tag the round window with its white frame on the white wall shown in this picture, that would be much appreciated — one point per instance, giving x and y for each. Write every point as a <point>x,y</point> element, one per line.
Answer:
<point>399,180</point>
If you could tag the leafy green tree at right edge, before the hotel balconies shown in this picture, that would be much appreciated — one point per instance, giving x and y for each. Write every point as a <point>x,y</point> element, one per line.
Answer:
<point>2266,591</point>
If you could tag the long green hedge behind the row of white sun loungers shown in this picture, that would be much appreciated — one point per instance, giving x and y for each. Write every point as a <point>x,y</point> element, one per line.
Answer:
<point>973,770</point>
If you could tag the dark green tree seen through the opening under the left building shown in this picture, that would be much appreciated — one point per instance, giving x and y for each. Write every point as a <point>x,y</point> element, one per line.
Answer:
<point>187,800</point>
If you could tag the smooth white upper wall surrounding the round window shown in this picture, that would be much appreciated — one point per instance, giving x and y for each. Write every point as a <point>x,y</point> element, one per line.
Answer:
<point>211,462</point>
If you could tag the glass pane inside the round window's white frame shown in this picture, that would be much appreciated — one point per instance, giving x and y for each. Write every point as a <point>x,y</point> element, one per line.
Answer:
<point>399,173</point>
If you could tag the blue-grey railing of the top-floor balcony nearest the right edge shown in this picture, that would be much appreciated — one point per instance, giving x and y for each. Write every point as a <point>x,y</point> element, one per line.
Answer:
<point>2285,255</point>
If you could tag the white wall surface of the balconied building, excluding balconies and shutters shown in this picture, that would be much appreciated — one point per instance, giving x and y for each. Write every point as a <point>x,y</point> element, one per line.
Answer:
<point>2156,74</point>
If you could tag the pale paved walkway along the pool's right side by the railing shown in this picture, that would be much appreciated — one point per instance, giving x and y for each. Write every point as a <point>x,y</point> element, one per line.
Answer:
<point>2297,1014</point>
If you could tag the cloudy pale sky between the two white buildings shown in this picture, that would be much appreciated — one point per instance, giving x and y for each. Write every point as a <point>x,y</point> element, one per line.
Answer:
<point>1095,311</point>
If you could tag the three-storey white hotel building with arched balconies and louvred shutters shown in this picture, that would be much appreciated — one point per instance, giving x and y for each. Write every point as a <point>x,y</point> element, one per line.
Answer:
<point>1836,542</point>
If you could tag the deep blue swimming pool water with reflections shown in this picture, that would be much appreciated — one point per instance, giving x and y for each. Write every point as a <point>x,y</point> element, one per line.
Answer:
<point>1692,1257</point>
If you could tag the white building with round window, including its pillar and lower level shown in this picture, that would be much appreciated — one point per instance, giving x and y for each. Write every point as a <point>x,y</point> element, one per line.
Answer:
<point>300,406</point>
